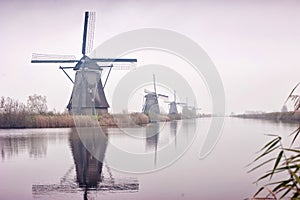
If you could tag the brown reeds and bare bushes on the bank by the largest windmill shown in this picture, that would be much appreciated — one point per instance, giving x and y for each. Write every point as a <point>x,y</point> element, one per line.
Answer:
<point>35,114</point>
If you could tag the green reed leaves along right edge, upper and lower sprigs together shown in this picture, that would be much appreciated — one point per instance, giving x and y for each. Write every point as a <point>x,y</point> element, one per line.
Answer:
<point>281,157</point>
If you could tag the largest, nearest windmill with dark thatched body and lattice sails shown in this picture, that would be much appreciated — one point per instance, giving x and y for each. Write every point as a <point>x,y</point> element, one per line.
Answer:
<point>88,95</point>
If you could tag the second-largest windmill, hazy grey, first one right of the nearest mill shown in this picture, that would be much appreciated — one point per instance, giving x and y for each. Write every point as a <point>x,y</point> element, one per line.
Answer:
<point>151,105</point>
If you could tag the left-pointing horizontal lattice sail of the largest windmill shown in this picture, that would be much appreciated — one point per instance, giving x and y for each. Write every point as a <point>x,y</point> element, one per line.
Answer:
<point>52,58</point>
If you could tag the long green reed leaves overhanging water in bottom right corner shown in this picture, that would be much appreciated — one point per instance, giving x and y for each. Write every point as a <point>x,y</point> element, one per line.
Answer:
<point>285,163</point>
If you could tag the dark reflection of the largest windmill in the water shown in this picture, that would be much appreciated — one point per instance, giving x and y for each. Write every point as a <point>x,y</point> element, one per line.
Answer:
<point>88,147</point>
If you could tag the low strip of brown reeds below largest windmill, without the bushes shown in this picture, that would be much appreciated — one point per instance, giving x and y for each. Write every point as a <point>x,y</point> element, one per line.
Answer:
<point>25,120</point>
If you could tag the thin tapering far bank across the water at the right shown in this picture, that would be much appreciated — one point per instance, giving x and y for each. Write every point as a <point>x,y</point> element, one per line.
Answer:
<point>275,116</point>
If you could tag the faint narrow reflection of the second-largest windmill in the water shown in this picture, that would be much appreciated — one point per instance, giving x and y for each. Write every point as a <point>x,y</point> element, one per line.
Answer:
<point>152,136</point>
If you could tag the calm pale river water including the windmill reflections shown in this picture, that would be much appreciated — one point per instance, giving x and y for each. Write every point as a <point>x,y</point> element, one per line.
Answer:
<point>55,164</point>
